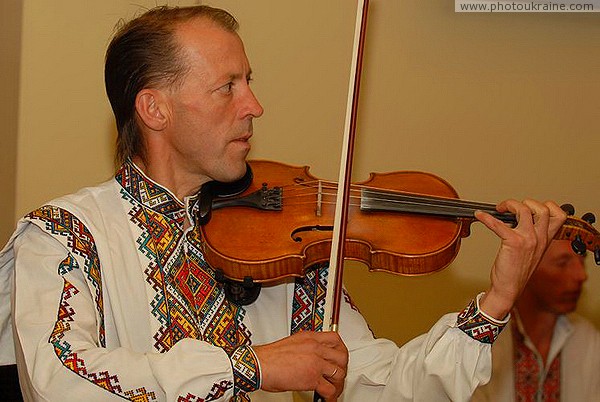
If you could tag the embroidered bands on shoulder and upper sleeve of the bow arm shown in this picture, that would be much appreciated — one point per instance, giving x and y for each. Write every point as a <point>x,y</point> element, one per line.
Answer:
<point>75,235</point>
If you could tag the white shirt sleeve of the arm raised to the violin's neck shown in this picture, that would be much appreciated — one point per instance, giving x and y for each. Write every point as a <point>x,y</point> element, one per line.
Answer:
<point>445,364</point>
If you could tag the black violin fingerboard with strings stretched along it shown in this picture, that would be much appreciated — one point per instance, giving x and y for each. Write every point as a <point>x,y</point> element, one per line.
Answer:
<point>388,201</point>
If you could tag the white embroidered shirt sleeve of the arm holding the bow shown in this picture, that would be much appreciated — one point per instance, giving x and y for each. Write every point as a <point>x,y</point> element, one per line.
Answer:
<point>59,340</point>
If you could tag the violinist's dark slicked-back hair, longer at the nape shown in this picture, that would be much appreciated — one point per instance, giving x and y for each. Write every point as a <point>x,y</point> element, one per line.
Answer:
<point>145,53</point>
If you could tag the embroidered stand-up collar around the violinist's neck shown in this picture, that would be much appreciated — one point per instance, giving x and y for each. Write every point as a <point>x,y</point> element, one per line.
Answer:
<point>151,194</point>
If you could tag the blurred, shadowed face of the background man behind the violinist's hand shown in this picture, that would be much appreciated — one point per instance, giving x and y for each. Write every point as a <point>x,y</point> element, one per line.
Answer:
<point>557,282</point>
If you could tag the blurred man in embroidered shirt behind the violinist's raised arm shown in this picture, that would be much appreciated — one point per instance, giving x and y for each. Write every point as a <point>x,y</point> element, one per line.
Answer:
<point>546,353</point>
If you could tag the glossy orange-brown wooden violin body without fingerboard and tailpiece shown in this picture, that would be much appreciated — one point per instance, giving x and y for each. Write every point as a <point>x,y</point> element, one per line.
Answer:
<point>268,245</point>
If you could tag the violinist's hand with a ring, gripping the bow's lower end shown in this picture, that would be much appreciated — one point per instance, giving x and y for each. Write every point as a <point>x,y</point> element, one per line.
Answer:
<point>306,361</point>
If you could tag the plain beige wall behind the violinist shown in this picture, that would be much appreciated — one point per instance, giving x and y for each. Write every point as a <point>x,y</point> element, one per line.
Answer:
<point>500,105</point>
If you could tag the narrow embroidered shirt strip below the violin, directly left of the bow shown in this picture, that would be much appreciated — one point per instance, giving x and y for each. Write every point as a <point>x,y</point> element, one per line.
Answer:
<point>308,307</point>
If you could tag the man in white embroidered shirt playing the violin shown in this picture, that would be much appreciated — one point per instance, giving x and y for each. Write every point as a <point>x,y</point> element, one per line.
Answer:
<point>113,299</point>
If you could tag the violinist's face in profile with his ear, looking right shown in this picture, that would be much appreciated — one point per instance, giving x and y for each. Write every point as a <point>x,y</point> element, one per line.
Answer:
<point>211,111</point>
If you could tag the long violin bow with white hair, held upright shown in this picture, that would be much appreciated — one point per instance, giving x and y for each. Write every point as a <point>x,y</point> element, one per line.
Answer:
<point>336,259</point>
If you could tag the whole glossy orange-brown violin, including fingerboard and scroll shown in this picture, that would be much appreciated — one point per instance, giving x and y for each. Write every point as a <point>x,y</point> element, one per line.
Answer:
<point>406,222</point>
